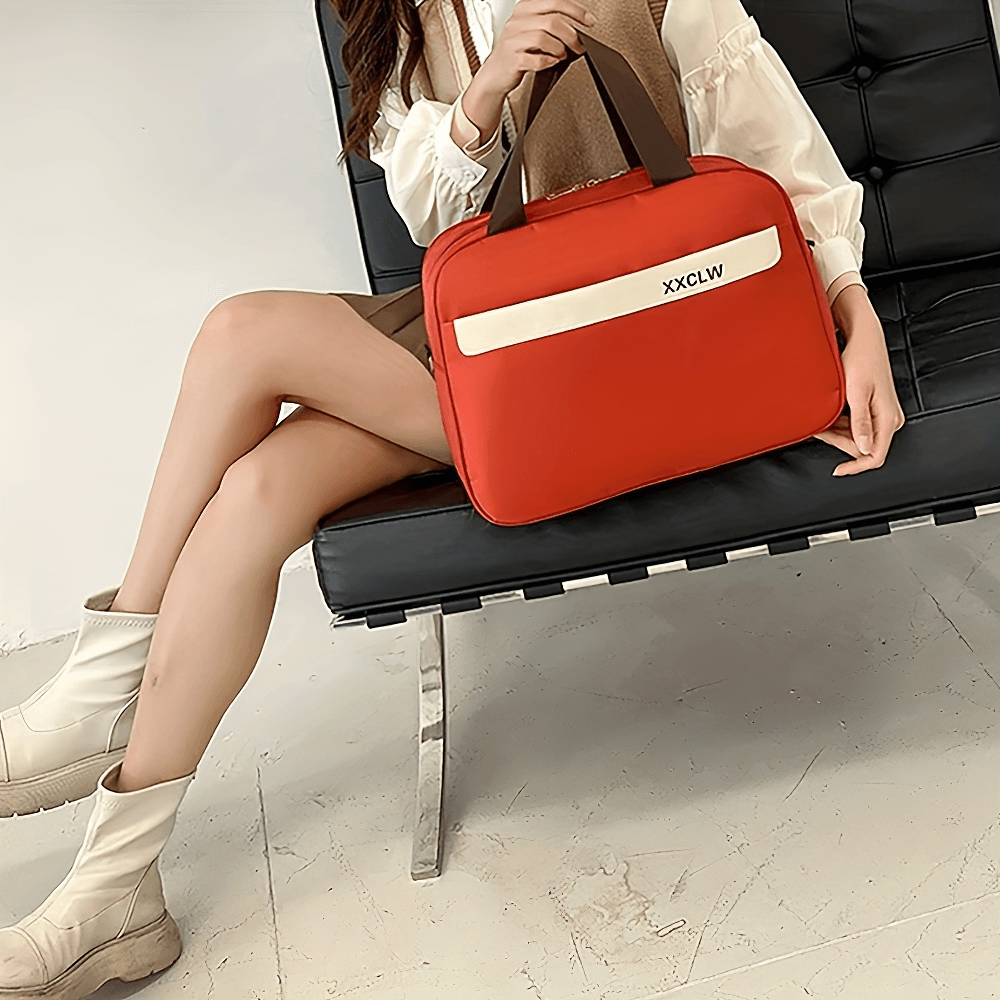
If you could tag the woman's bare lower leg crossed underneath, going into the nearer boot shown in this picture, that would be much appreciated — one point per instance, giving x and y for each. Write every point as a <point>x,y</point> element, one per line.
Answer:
<point>219,600</point>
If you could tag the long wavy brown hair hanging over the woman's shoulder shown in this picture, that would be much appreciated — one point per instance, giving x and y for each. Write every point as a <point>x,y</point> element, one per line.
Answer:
<point>369,55</point>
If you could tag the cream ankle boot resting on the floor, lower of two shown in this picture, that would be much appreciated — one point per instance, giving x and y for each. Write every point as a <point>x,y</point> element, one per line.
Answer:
<point>107,919</point>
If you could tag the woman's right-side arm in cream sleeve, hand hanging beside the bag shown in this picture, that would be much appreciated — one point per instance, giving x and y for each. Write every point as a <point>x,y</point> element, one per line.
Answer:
<point>742,102</point>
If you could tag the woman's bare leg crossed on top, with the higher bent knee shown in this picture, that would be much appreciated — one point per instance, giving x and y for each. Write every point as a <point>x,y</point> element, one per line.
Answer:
<point>254,351</point>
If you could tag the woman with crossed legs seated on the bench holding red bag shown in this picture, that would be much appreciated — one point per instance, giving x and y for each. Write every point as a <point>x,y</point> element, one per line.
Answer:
<point>131,713</point>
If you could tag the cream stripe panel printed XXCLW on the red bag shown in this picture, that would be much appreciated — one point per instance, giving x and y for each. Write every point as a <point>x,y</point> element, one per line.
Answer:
<point>699,272</point>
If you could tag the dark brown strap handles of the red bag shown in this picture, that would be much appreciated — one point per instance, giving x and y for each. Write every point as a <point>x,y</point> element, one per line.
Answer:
<point>643,137</point>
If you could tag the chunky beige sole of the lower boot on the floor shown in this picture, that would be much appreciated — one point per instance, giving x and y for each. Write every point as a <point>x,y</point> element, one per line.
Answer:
<point>136,955</point>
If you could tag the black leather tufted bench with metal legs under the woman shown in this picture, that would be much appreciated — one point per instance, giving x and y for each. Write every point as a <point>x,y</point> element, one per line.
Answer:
<point>909,93</point>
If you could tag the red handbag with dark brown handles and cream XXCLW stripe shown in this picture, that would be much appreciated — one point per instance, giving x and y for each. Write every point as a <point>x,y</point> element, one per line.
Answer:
<point>652,325</point>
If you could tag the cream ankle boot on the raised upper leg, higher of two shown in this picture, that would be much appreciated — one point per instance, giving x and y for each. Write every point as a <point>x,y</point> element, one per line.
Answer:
<point>55,745</point>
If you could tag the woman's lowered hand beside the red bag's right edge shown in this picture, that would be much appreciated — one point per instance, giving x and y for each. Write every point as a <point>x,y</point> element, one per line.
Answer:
<point>871,394</point>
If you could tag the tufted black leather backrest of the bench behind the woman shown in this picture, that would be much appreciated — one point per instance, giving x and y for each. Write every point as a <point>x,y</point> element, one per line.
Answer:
<point>907,90</point>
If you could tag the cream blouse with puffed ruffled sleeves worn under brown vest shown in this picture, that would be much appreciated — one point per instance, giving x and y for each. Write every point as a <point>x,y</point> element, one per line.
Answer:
<point>740,101</point>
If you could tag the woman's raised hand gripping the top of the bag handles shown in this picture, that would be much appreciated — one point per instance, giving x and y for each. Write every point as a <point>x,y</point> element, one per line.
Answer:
<point>538,34</point>
